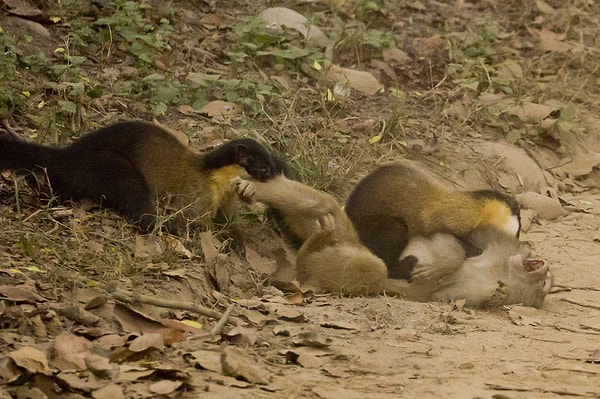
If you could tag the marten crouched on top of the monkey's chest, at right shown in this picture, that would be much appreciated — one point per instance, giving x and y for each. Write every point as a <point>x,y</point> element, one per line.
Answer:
<point>398,201</point>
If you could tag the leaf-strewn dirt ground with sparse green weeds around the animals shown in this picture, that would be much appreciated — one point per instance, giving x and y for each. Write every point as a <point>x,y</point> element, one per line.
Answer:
<point>483,94</point>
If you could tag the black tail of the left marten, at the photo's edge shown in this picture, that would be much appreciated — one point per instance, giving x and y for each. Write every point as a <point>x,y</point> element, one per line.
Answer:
<point>19,155</point>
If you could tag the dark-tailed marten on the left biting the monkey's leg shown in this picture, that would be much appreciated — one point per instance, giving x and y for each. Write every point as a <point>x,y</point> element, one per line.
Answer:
<point>128,166</point>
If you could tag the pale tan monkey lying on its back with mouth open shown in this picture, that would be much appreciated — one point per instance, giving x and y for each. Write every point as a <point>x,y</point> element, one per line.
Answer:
<point>332,259</point>
